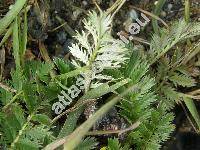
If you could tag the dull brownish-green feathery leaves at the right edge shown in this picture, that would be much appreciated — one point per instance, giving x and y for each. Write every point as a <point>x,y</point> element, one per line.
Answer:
<point>172,71</point>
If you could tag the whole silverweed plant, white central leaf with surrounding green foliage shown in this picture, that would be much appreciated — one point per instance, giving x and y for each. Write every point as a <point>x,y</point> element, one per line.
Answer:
<point>115,74</point>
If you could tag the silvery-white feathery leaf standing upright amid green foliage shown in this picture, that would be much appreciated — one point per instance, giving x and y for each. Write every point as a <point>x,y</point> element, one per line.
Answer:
<point>96,48</point>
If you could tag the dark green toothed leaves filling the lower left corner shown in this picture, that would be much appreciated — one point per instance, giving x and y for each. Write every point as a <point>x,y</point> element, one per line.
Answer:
<point>24,123</point>
